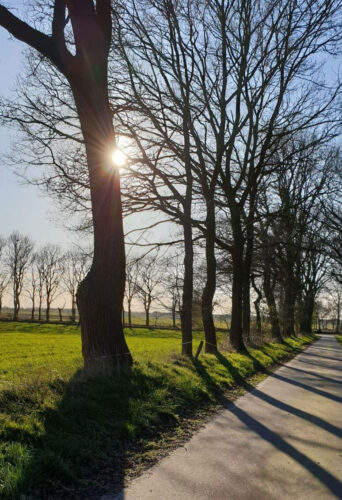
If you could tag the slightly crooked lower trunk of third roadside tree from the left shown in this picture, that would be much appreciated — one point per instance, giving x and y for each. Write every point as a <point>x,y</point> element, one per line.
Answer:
<point>210,285</point>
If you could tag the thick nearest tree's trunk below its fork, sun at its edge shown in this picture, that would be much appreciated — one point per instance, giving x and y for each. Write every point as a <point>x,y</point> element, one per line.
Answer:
<point>100,295</point>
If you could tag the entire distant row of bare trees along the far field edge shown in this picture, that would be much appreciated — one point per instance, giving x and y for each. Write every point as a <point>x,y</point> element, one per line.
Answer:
<point>47,274</point>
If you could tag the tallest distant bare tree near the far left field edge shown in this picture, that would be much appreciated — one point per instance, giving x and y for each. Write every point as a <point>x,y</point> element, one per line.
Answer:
<point>19,252</point>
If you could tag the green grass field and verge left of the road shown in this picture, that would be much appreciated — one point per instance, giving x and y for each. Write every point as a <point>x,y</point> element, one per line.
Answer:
<point>60,431</point>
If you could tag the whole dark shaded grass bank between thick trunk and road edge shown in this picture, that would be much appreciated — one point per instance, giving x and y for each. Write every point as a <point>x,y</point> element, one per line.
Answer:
<point>91,435</point>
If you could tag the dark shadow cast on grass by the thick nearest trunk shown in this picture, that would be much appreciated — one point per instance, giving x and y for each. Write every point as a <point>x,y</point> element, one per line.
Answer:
<point>79,442</point>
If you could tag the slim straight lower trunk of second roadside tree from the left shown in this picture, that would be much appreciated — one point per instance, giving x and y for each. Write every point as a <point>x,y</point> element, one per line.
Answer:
<point>186,309</point>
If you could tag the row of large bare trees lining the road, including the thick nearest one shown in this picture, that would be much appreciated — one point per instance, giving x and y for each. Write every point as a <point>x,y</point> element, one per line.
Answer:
<point>230,131</point>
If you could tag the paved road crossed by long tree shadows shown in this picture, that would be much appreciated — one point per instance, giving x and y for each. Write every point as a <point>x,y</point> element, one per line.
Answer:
<point>282,440</point>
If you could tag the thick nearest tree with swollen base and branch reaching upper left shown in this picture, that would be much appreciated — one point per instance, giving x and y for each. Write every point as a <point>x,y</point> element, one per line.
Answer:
<point>78,43</point>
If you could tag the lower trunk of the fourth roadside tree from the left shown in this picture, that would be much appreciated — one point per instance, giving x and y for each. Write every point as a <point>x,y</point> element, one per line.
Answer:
<point>236,333</point>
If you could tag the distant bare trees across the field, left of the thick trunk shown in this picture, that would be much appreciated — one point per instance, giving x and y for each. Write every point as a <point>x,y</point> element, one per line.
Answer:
<point>41,275</point>
